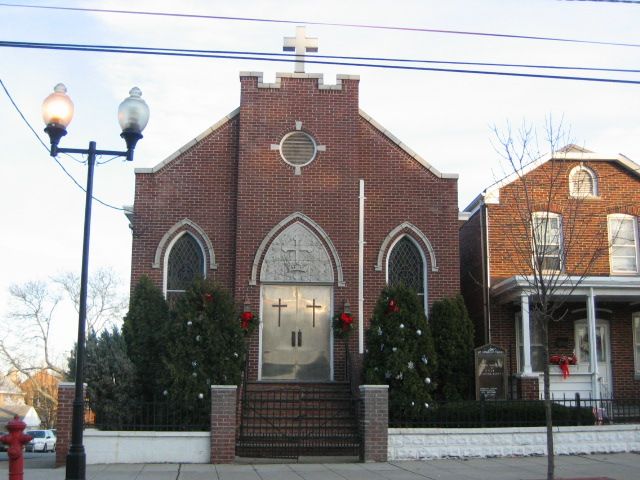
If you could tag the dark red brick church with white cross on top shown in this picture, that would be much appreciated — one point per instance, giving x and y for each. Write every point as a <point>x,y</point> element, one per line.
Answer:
<point>302,206</point>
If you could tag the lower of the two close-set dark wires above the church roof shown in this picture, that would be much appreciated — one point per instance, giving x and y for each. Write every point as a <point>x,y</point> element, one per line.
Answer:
<point>261,57</point>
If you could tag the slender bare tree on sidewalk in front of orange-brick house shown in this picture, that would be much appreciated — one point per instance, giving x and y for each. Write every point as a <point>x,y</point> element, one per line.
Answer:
<point>554,237</point>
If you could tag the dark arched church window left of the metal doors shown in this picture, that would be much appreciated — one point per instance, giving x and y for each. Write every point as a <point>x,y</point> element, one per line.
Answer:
<point>185,262</point>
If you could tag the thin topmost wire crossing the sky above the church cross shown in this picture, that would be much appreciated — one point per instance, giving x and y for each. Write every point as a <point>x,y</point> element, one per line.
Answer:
<point>326,24</point>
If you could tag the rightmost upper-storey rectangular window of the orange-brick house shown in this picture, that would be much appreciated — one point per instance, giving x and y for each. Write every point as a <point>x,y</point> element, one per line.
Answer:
<point>623,241</point>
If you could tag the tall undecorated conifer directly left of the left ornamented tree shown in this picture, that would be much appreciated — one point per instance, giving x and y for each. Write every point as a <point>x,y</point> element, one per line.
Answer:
<point>145,331</point>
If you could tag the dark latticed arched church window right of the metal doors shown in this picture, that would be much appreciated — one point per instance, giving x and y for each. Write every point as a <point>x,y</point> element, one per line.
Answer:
<point>406,266</point>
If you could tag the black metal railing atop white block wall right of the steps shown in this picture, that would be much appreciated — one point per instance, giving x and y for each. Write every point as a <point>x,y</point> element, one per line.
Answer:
<point>518,413</point>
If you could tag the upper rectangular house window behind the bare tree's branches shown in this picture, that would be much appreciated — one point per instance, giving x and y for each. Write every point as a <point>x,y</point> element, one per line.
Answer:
<point>547,237</point>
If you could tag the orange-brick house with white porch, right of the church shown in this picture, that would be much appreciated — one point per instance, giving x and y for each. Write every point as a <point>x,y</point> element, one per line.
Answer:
<point>586,223</point>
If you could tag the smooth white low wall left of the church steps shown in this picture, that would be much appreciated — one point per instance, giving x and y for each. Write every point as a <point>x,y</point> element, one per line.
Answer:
<point>146,447</point>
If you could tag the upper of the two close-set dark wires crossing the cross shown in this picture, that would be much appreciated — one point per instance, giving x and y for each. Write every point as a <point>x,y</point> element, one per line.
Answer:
<point>336,57</point>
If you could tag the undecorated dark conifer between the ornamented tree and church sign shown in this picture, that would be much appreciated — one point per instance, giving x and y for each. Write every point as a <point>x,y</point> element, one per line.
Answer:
<point>453,339</point>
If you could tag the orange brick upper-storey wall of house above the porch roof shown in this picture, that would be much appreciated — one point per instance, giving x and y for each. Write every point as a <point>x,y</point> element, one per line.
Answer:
<point>584,221</point>
